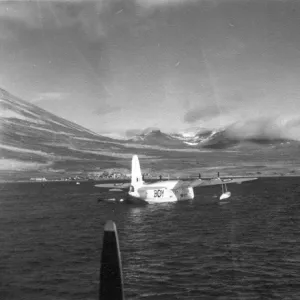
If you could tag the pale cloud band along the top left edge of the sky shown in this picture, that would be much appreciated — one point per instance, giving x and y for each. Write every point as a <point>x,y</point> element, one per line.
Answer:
<point>92,18</point>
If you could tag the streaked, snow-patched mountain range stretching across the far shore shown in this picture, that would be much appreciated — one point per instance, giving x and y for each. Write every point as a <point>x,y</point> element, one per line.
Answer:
<point>36,142</point>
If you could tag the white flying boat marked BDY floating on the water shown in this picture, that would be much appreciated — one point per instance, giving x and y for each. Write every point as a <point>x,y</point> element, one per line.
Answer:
<point>165,191</point>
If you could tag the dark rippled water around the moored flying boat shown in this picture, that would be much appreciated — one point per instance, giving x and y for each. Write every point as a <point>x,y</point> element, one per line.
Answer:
<point>248,248</point>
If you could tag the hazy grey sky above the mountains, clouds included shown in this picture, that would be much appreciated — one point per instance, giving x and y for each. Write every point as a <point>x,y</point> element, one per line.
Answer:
<point>117,66</point>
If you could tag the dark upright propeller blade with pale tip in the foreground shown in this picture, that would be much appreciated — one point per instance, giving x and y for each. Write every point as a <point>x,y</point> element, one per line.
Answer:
<point>111,278</point>
